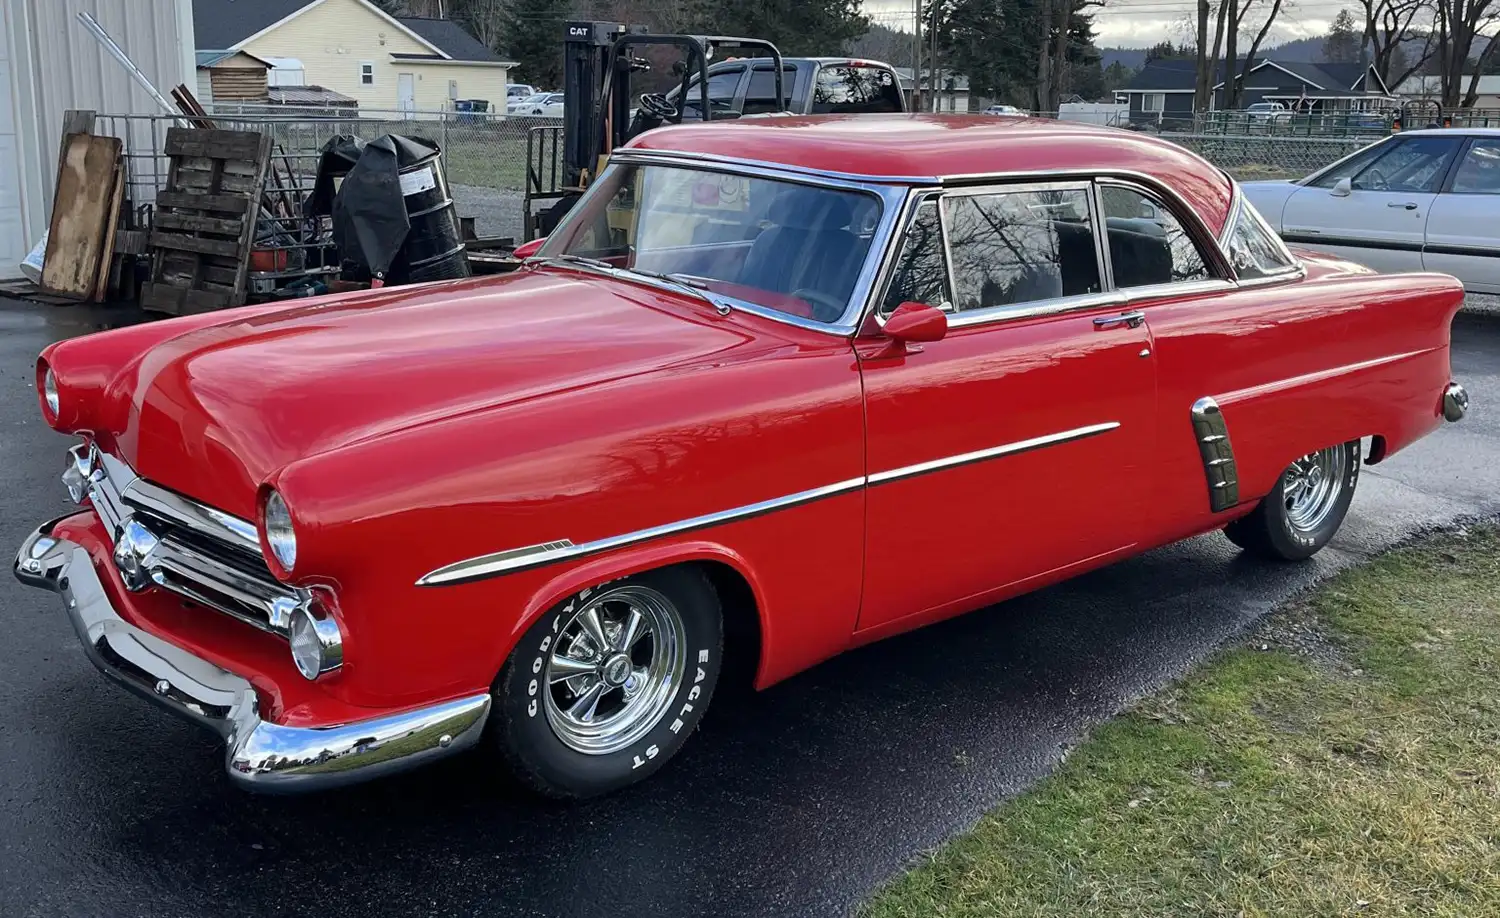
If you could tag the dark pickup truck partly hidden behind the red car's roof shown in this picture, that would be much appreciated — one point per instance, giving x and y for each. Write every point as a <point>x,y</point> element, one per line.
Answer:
<point>812,85</point>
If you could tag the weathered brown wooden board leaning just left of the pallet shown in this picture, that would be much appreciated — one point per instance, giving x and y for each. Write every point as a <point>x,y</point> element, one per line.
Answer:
<point>80,212</point>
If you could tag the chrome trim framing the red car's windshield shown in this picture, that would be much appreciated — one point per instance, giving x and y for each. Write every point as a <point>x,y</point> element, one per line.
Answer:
<point>890,197</point>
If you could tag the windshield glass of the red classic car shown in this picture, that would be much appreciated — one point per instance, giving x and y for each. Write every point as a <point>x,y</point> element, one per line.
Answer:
<point>782,245</point>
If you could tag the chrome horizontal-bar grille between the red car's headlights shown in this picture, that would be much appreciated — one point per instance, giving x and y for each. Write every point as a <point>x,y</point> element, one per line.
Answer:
<point>196,551</point>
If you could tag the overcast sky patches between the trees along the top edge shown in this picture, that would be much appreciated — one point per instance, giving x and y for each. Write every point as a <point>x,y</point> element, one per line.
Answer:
<point>1142,23</point>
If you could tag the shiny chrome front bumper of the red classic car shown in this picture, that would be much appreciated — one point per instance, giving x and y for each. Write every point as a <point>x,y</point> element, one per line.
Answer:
<point>262,757</point>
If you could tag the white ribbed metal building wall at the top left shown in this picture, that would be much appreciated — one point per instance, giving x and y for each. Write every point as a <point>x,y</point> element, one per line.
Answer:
<point>49,65</point>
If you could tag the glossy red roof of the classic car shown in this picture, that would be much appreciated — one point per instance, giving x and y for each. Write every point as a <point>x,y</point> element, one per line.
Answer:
<point>923,149</point>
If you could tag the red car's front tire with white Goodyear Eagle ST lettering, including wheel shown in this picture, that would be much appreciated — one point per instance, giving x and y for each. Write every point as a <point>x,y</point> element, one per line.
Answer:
<point>608,686</point>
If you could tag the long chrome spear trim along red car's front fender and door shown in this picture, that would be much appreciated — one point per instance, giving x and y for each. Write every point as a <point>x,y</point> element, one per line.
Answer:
<point>529,557</point>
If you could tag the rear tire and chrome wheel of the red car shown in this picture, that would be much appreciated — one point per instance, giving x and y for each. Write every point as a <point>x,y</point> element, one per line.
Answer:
<point>1304,509</point>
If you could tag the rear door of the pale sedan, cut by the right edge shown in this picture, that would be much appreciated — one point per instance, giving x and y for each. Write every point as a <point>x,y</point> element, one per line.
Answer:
<point>1463,230</point>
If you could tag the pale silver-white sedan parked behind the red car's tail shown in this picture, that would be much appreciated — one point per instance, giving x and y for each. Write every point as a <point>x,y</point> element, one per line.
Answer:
<point>1420,200</point>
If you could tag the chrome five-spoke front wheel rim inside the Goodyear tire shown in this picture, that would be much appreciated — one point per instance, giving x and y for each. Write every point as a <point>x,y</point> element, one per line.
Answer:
<point>614,668</point>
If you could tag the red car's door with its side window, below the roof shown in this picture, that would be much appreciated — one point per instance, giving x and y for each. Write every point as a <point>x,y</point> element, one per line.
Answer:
<point>1018,449</point>
